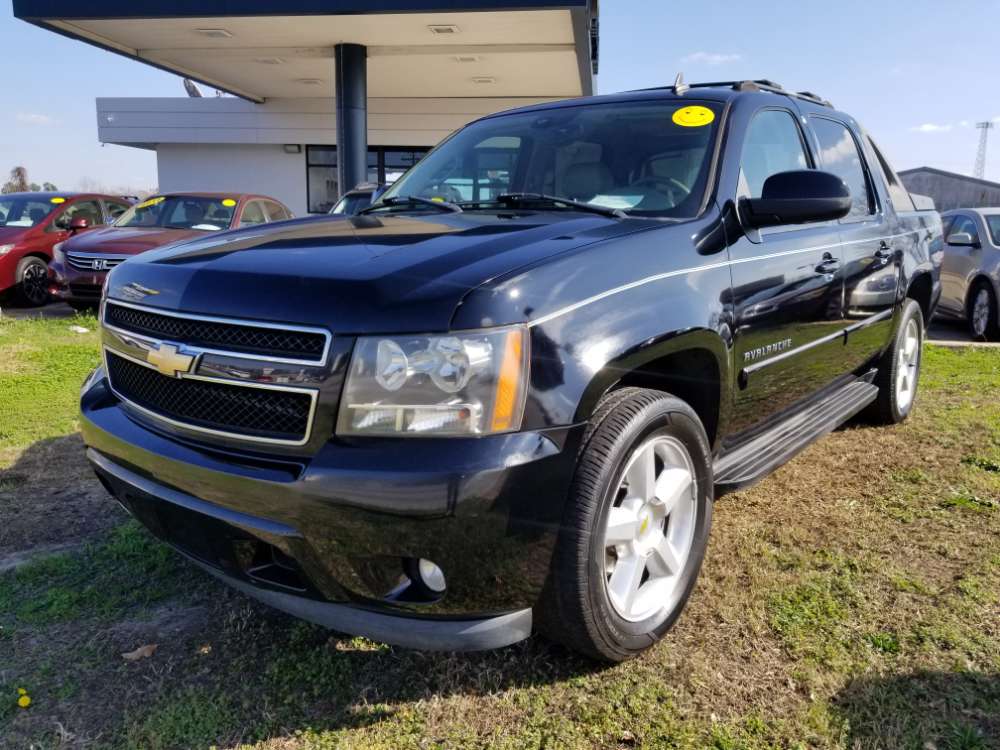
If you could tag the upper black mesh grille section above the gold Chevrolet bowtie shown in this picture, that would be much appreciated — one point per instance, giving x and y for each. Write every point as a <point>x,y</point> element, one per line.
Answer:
<point>234,337</point>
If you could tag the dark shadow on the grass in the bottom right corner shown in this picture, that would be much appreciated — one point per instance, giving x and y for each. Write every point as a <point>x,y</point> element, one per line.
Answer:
<point>923,709</point>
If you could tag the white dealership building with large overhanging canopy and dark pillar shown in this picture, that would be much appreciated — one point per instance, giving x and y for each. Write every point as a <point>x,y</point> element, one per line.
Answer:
<point>410,73</point>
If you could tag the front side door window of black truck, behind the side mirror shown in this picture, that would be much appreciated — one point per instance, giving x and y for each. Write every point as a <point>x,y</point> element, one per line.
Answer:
<point>773,144</point>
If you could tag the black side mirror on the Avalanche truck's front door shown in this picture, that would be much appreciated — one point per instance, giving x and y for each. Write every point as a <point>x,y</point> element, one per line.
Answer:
<point>798,197</point>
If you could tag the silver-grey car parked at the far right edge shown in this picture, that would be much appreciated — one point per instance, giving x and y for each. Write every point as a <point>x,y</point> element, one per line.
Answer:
<point>970,272</point>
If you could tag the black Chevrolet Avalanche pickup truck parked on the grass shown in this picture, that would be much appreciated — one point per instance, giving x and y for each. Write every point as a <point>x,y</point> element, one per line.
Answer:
<point>444,425</point>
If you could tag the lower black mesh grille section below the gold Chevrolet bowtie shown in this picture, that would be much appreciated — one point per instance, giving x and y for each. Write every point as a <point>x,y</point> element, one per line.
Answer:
<point>258,412</point>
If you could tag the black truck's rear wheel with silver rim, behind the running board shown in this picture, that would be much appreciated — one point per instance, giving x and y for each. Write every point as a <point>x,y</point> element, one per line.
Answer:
<point>899,368</point>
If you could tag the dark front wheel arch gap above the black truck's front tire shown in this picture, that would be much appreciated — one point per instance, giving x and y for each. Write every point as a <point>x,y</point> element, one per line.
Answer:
<point>693,366</point>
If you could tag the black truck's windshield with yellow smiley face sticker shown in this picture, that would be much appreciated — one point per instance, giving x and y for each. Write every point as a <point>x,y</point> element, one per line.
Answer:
<point>646,158</point>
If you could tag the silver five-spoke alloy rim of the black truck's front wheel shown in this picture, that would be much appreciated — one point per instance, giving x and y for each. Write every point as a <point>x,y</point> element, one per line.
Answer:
<point>650,529</point>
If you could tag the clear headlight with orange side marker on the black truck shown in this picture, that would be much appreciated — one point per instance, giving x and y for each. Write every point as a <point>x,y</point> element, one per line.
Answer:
<point>470,383</point>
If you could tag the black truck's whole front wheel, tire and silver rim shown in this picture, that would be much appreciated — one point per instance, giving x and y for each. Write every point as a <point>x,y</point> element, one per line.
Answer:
<point>635,529</point>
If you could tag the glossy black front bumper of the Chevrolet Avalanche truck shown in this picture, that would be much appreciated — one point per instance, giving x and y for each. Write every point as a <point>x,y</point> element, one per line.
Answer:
<point>329,538</point>
